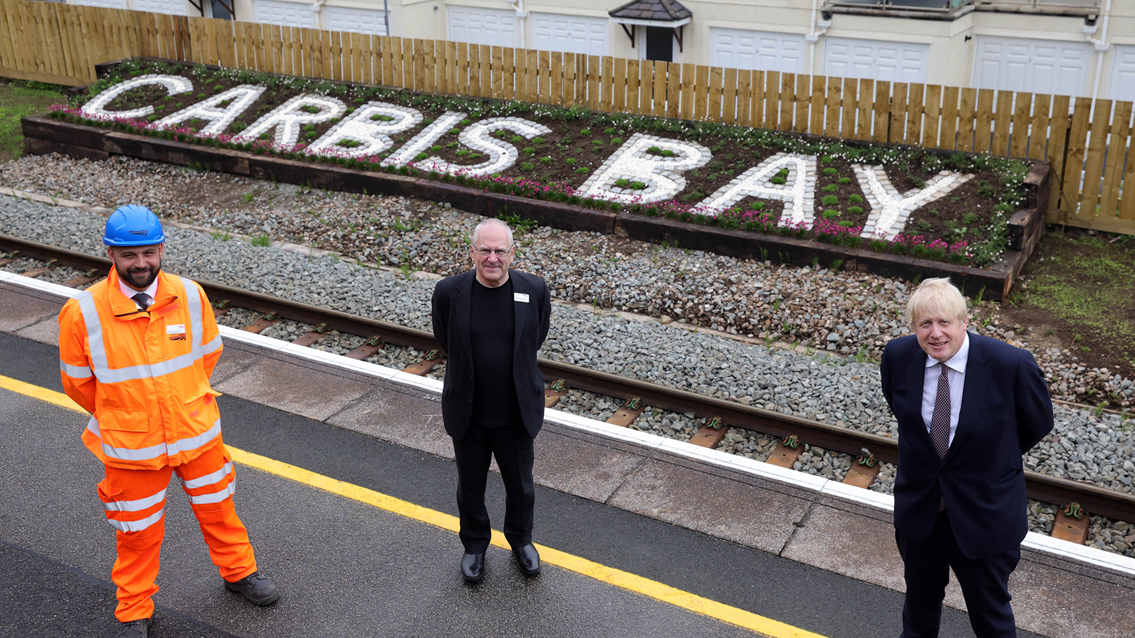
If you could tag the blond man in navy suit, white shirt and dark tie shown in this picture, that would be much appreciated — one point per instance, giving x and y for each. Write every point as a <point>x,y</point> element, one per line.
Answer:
<point>969,408</point>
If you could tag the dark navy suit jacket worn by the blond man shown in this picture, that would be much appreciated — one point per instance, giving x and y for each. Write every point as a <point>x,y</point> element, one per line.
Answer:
<point>1006,410</point>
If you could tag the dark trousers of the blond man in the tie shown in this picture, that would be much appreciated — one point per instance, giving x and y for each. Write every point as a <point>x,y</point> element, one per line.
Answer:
<point>985,585</point>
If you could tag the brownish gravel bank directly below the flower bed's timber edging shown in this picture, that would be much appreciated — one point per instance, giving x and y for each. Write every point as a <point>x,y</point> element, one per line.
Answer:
<point>851,314</point>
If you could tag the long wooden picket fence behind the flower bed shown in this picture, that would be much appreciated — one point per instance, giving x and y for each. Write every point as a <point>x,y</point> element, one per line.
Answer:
<point>1089,148</point>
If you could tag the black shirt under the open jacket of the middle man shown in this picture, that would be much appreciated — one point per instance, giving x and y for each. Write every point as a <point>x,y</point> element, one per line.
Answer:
<point>491,333</point>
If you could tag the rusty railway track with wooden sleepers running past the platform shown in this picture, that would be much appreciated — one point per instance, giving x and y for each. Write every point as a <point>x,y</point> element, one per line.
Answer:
<point>720,415</point>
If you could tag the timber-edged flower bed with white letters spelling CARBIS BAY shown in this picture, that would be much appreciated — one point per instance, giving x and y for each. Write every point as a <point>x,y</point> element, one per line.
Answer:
<point>786,197</point>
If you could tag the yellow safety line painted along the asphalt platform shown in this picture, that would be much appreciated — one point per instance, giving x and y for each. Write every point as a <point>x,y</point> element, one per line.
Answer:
<point>550,557</point>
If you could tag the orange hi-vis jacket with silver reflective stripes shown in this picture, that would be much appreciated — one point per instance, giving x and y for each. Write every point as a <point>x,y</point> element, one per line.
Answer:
<point>142,374</point>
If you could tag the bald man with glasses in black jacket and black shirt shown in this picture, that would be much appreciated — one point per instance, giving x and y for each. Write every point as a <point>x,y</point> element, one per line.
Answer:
<point>492,322</point>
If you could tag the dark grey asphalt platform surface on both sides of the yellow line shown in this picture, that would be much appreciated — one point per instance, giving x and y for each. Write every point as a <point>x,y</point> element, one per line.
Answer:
<point>350,569</point>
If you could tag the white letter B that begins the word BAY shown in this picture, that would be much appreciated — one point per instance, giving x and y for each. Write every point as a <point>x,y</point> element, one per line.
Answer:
<point>662,175</point>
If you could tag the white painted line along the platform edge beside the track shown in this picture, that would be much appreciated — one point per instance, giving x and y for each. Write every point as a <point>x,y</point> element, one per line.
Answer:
<point>1037,542</point>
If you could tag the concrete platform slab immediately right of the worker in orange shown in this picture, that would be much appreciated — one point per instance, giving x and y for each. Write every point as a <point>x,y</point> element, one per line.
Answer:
<point>293,389</point>
